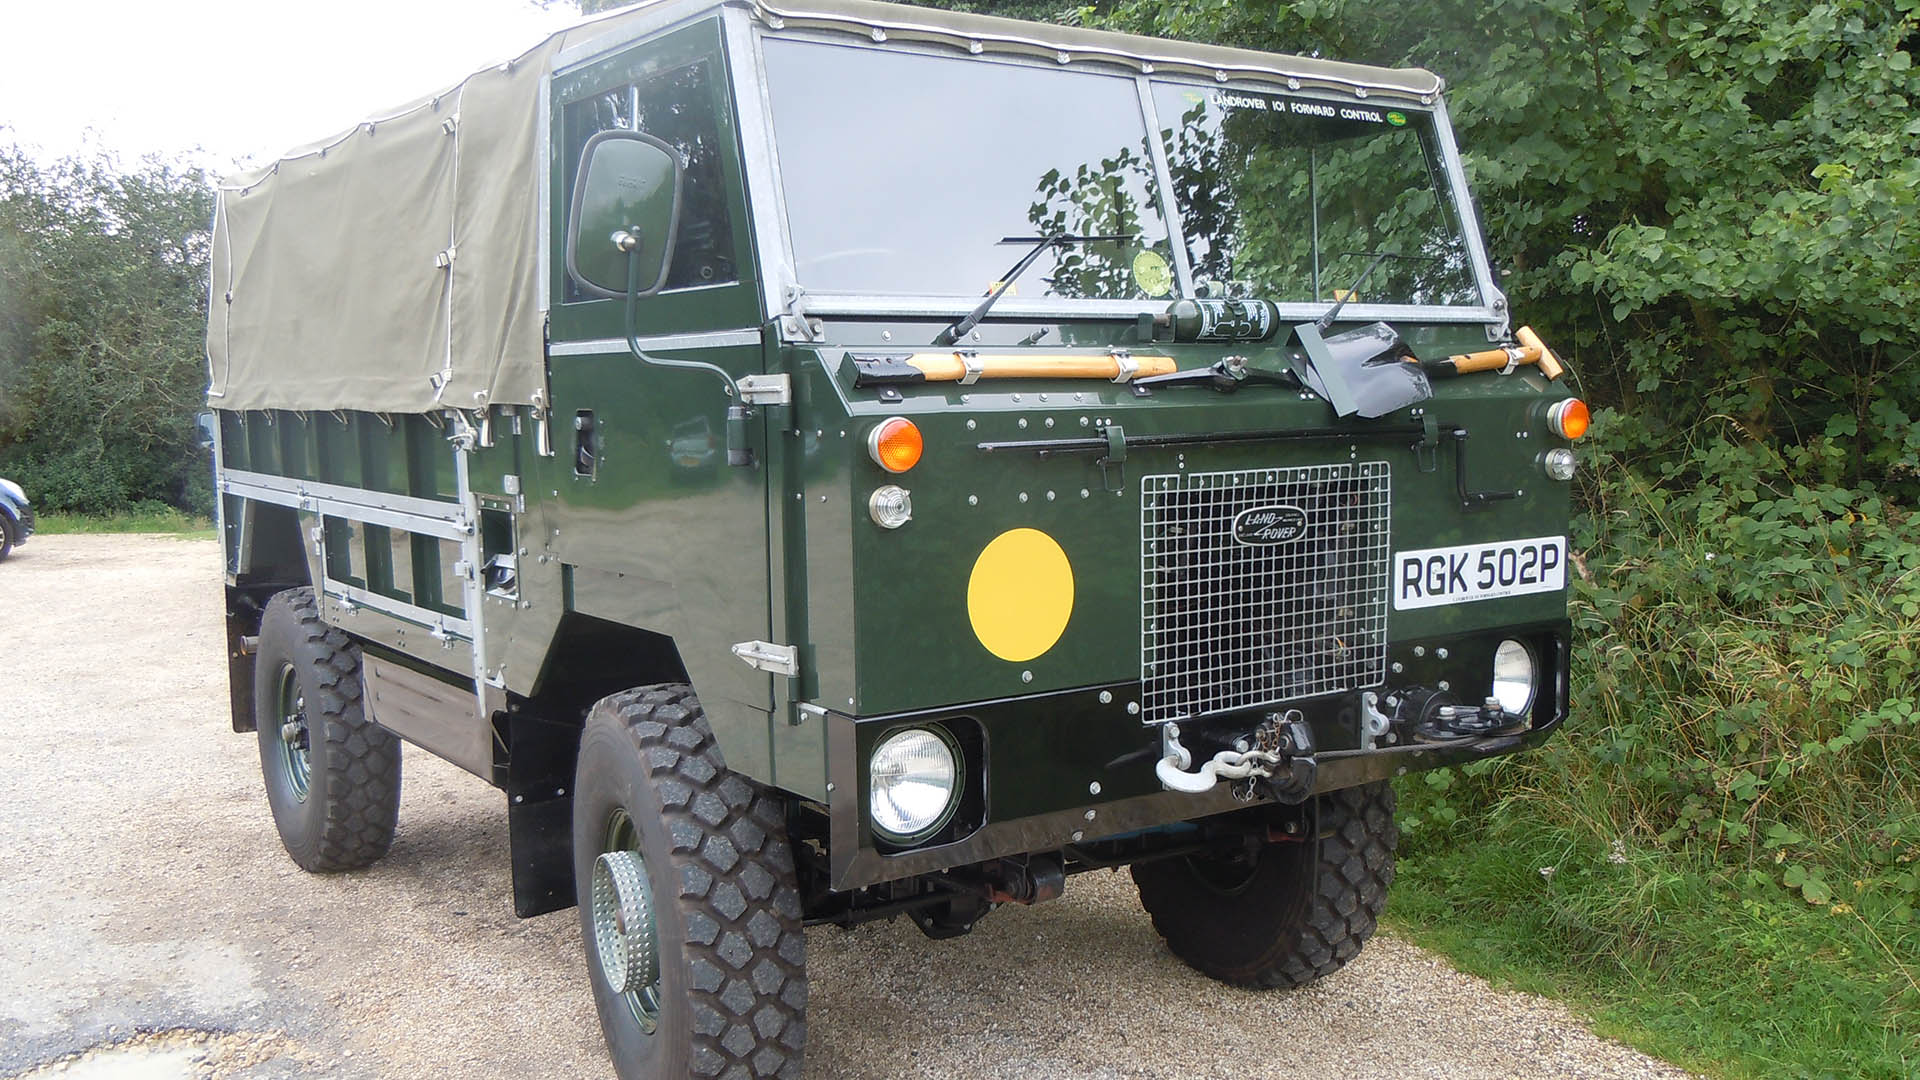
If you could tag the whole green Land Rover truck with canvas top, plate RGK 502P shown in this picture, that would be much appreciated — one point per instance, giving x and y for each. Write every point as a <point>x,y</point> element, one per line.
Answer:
<point>846,462</point>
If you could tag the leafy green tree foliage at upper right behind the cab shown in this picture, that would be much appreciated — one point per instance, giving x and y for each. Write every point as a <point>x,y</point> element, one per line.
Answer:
<point>1708,203</point>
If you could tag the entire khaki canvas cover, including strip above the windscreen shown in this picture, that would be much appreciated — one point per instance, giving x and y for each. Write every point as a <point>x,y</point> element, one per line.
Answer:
<point>396,266</point>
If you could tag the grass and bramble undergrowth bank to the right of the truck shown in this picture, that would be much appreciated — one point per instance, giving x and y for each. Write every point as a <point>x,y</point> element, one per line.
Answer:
<point>1721,850</point>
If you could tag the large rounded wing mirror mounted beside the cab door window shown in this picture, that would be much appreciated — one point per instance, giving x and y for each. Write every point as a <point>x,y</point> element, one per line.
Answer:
<point>625,214</point>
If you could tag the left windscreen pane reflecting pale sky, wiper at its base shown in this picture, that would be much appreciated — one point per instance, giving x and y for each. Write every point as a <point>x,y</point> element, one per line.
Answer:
<point>905,172</point>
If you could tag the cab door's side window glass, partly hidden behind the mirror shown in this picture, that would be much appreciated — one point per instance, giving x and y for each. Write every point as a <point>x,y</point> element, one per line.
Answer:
<point>677,107</point>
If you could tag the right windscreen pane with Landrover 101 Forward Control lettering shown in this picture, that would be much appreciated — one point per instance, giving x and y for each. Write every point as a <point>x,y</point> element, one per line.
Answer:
<point>1293,199</point>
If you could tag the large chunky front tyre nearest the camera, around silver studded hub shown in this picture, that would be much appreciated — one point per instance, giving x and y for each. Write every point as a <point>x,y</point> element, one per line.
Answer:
<point>729,991</point>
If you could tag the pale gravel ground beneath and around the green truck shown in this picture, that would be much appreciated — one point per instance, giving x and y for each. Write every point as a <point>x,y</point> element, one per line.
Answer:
<point>147,906</point>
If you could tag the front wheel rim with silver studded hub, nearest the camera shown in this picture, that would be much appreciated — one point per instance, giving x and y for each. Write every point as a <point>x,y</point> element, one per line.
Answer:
<point>625,925</point>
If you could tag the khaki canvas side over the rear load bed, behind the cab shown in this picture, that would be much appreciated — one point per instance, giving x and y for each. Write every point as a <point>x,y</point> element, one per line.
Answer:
<point>395,268</point>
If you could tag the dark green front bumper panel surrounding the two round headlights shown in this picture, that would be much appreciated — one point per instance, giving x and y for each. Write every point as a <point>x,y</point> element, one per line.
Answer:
<point>1070,768</point>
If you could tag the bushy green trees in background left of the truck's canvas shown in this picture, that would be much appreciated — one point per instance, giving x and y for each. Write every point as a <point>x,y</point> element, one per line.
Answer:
<point>103,318</point>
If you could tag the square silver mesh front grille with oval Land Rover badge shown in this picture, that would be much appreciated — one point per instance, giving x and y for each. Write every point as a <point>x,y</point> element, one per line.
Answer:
<point>1293,606</point>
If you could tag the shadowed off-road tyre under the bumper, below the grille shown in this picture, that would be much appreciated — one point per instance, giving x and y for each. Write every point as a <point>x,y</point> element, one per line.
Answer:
<point>1289,912</point>
